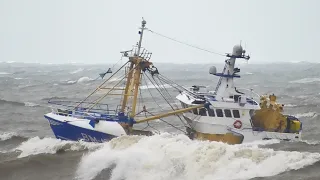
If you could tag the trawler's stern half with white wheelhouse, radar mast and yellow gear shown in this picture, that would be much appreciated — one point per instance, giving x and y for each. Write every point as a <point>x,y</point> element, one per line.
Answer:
<point>233,116</point>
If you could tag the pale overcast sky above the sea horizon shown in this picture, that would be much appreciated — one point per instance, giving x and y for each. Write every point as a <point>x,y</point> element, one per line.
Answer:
<point>64,31</point>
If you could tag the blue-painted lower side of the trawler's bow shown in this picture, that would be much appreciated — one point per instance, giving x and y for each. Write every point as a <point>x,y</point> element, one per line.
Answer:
<point>66,131</point>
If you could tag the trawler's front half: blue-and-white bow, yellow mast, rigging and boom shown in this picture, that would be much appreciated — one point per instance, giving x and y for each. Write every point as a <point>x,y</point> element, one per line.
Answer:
<point>93,120</point>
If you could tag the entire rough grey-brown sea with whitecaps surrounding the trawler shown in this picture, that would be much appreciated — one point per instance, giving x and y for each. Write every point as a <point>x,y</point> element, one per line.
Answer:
<point>29,150</point>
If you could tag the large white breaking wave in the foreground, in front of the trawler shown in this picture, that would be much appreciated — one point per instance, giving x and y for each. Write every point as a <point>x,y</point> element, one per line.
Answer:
<point>177,157</point>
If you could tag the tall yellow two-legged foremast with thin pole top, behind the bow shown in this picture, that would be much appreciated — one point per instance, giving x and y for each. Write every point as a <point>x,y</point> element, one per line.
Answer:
<point>134,76</point>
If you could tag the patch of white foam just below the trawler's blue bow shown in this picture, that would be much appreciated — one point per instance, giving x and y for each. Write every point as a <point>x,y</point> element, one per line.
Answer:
<point>37,145</point>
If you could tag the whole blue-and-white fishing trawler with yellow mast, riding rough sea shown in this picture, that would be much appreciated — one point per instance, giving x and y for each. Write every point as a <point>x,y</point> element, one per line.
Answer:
<point>117,108</point>
